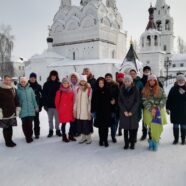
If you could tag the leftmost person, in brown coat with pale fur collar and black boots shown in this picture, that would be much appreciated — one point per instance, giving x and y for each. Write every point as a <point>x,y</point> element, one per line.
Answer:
<point>9,109</point>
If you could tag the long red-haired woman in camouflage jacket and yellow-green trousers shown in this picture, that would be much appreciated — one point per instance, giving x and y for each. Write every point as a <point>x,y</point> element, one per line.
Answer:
<point>154,114</point>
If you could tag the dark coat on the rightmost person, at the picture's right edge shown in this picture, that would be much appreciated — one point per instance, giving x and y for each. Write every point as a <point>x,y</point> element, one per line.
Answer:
<point>176,103</point>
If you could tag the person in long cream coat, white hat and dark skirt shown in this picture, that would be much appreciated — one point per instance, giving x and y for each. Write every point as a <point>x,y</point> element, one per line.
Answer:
<point>82,110</point>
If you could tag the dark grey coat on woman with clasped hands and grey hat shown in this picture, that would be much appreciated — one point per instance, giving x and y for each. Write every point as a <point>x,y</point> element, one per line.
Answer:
<point>129,101</point>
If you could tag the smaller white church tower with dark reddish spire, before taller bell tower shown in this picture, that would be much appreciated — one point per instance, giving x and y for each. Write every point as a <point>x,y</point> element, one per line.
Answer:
<point>151,53</point>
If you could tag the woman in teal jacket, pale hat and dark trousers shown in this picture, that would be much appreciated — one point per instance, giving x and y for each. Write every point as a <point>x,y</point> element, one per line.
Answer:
<point>28,106</point>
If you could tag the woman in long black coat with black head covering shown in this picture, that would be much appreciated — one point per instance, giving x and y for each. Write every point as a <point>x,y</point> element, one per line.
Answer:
<point>102,109</point>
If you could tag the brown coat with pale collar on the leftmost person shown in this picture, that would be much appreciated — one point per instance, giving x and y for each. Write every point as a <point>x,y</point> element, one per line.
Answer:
<point>8,101</point>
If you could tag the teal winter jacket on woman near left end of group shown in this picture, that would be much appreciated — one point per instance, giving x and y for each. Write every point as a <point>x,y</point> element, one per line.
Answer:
<point>27,101</point>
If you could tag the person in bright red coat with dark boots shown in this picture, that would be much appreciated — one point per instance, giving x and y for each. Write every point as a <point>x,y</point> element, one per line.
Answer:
<point>64,102</point>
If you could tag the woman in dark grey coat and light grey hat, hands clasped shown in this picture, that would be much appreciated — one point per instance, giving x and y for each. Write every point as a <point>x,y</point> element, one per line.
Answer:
<point>129,100</point>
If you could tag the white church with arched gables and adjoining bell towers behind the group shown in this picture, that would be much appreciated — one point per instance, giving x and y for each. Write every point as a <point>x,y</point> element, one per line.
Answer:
<point>92,35</point>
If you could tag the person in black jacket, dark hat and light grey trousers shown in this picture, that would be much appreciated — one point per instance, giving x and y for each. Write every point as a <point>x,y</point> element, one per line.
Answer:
<point>49,93</point>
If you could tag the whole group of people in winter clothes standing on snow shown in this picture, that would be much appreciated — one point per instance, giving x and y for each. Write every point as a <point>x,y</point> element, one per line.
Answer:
<point>84,102</point>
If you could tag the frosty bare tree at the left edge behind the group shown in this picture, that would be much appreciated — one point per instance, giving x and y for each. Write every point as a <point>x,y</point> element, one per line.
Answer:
<point>6,47</point>
